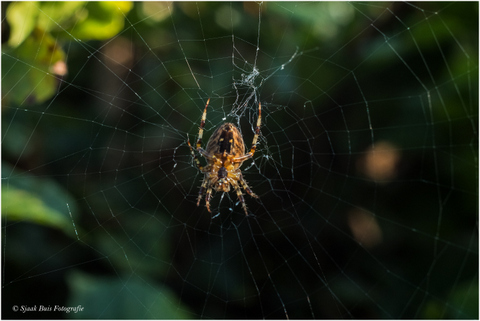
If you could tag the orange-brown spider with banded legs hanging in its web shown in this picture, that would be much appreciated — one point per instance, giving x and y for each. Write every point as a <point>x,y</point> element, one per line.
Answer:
<point>225,154</point>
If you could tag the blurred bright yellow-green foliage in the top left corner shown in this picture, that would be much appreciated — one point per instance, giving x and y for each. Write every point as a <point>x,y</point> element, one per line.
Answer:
<point>33,58</point>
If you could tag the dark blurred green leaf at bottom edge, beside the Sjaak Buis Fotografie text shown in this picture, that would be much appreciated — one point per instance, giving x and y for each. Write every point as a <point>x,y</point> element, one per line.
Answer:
<point>129,298</point>
